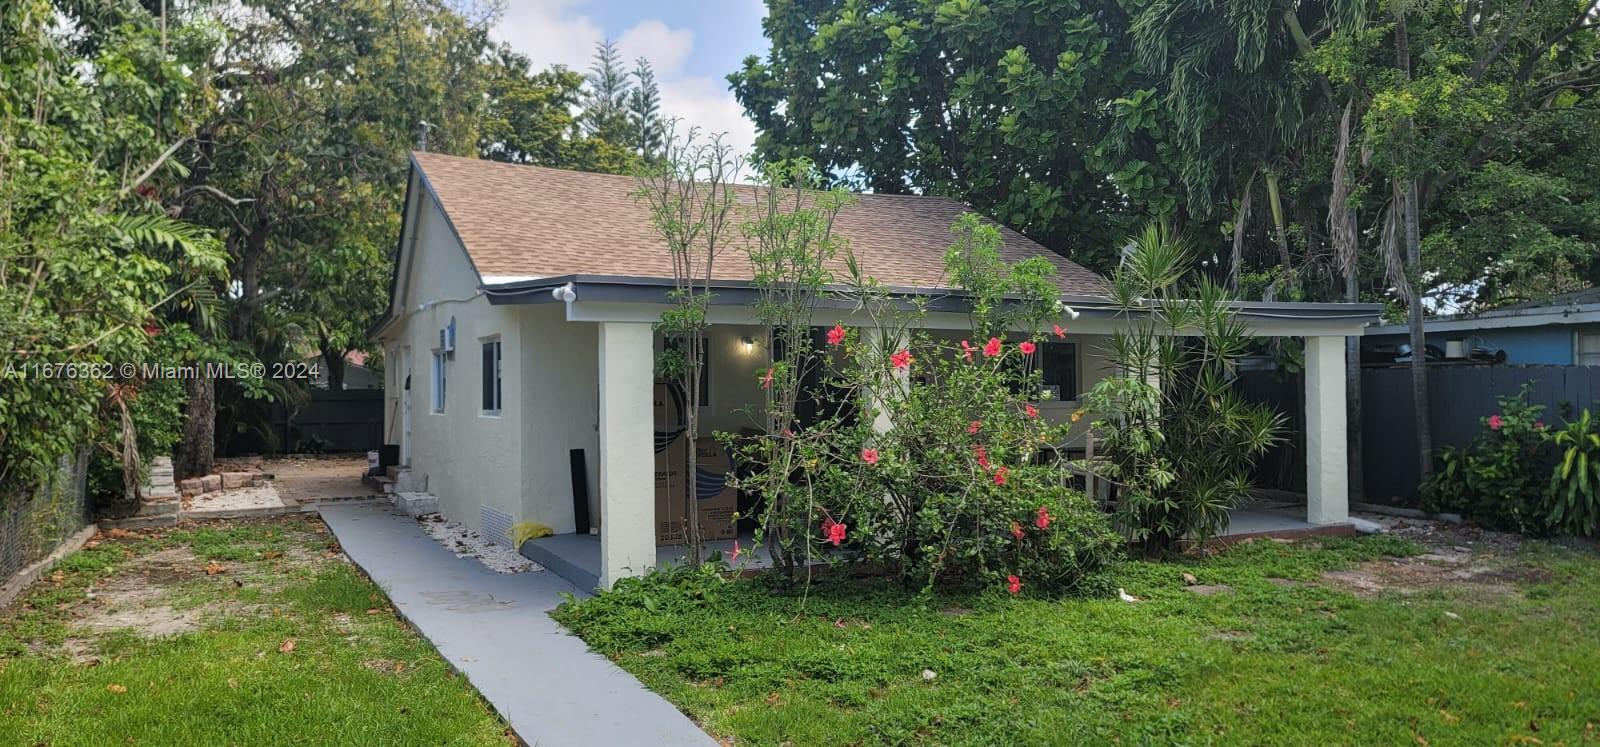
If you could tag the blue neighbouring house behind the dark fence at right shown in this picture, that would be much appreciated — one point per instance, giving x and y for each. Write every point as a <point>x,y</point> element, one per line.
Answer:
<point>1561,332</point>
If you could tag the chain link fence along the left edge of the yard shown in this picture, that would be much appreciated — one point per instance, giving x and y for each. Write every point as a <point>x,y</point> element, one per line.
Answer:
<point>33,525</point>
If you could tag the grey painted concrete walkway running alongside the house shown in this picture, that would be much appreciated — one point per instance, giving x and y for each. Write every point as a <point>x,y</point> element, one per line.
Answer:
<point>494,629</point>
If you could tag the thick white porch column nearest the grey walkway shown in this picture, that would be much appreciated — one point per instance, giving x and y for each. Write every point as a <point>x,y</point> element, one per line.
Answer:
<point>628,481</point>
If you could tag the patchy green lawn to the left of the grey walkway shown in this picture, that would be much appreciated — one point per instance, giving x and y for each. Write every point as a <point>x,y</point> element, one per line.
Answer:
<point>236,634</point>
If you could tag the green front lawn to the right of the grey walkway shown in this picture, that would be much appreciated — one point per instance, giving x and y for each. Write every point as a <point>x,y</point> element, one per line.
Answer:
<point>1495,650</point>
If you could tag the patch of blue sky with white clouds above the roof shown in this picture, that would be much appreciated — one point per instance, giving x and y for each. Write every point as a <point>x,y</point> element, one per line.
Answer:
<point>692,44</point>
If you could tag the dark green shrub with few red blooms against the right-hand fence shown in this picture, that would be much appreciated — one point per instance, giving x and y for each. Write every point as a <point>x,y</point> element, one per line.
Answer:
<point>1502,479</point>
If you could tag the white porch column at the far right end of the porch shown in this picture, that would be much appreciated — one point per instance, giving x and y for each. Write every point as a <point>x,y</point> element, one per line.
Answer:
<point>1327,452</point>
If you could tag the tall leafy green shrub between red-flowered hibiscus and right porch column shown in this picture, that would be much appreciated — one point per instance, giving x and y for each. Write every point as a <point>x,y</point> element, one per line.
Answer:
<point>1175,437</point>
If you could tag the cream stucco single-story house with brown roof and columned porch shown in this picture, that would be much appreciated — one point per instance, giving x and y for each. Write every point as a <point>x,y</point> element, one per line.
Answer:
<point>522,330</point>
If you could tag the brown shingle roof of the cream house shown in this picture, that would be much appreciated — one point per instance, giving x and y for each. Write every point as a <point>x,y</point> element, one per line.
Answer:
<point>534,222</point>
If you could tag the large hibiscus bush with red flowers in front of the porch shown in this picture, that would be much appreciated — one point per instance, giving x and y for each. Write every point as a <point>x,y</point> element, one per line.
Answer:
<point>930,460</point>
